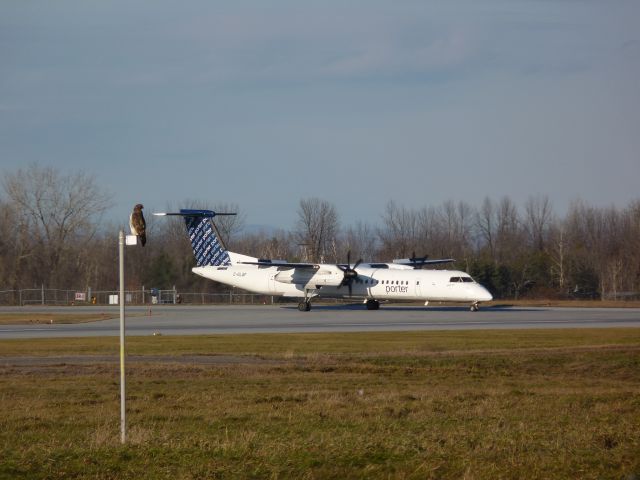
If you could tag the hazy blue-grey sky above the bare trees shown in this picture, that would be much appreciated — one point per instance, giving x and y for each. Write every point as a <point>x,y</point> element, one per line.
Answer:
<point>263,104</point>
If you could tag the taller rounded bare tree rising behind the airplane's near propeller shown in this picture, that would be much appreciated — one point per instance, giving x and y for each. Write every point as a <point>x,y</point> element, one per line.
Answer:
<point>317,227</point>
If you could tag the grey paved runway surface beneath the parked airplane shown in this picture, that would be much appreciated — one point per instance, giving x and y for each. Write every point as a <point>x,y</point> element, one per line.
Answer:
<point>203,320</point>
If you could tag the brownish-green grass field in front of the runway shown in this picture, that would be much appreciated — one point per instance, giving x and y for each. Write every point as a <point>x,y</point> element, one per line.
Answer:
<point>490,404</point>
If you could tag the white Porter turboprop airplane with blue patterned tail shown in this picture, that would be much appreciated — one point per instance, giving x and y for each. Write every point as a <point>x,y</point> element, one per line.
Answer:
<point>402,279</point>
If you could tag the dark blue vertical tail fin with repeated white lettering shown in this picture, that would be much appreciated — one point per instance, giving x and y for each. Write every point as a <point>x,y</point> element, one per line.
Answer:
<point>207,247</point>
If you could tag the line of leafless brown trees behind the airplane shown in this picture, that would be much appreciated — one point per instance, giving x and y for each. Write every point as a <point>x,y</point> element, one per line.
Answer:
<point>52,234</point>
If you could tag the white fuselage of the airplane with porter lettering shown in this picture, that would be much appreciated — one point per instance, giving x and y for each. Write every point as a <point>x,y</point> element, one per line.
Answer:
<point>396,283</point>
